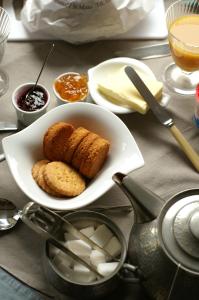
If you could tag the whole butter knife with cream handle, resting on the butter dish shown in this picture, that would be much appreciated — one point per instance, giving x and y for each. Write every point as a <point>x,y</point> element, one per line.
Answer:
<point>163,116</point>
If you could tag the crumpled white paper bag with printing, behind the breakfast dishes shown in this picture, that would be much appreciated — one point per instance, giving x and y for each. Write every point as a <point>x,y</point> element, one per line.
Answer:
<point>78,21</point>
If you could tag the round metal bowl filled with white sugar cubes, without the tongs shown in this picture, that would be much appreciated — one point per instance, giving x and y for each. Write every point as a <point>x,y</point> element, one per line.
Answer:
<point>71,277</point>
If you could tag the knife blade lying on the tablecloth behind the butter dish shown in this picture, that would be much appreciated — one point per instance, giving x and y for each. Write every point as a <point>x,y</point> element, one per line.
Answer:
<point>146,52</point>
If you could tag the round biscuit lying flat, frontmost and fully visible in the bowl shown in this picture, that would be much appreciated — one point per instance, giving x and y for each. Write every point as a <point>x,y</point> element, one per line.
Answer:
<point>63,179</point>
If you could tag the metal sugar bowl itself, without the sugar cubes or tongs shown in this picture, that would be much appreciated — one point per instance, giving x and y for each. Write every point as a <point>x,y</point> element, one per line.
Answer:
<point>93,290</point>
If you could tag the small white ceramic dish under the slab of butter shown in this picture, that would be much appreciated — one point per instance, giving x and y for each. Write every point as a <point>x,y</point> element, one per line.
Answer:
<point>109,66</point>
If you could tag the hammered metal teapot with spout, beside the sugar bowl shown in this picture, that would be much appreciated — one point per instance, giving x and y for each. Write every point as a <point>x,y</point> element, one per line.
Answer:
<point>164,241</point>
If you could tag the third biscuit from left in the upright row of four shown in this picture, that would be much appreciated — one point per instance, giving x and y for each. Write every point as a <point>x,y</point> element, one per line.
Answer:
<point>81,152</point>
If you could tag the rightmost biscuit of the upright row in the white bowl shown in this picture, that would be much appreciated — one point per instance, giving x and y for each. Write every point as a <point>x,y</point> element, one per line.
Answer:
<point>97,154</point>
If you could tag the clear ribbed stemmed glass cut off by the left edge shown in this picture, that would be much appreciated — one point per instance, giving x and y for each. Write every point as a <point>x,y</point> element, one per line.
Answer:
<point>4,32</point>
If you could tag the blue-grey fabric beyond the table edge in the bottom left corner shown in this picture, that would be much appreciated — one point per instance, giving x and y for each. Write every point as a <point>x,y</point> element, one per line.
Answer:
<point>13,289</point>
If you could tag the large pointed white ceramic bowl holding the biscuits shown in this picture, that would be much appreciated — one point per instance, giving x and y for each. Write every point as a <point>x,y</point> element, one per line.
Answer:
<point>24,148</point>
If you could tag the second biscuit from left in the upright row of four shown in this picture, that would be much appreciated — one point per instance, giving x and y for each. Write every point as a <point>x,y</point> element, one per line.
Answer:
<point>76,137</point>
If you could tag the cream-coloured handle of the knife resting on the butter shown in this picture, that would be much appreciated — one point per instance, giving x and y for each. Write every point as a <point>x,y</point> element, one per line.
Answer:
<point>185,146</point>
